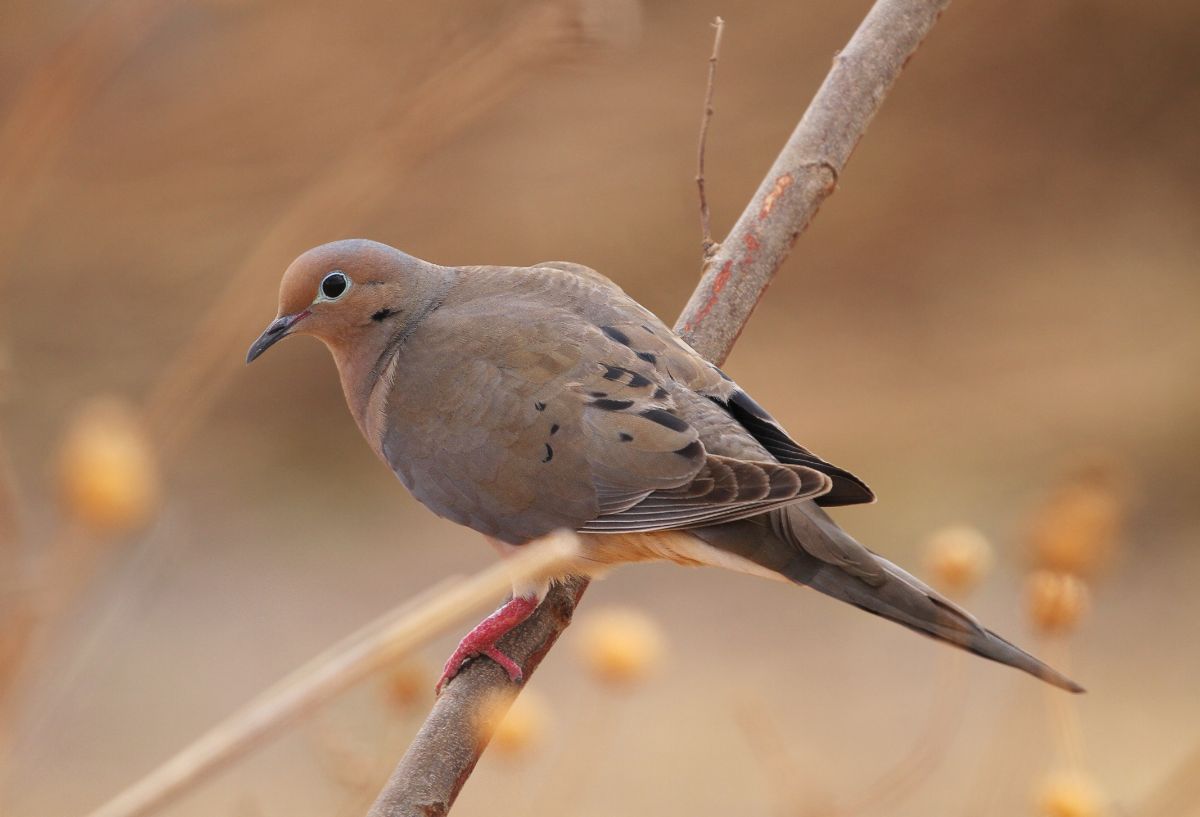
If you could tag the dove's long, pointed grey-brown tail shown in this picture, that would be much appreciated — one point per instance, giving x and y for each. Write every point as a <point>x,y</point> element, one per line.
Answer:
<point>803,544</point>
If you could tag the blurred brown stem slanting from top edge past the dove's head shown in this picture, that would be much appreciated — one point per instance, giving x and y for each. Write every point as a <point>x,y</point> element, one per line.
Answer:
<point>473,80</point>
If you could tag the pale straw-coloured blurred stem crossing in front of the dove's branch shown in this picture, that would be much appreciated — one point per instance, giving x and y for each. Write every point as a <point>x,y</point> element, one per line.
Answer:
<point>385,641</point>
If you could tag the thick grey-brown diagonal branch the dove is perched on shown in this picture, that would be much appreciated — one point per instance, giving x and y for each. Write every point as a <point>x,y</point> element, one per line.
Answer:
<point>449,744</point>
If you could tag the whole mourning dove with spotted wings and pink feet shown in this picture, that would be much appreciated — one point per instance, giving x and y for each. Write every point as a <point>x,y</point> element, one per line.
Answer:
<point>518,401</point>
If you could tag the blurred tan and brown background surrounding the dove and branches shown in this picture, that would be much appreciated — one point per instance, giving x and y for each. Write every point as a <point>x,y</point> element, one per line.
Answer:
<point>994,322</point>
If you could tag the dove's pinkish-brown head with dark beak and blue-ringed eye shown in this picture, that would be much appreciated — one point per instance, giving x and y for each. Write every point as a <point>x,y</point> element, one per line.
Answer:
<point>346,293</point>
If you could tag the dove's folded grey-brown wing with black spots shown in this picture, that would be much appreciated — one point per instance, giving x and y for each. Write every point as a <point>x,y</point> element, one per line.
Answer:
<point>560,403</point>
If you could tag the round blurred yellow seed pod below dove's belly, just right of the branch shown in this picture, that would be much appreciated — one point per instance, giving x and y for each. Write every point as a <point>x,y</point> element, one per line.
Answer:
<point>620,646</point>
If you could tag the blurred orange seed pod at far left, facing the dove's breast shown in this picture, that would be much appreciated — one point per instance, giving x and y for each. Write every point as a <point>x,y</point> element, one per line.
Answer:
<point>109,476</point>
